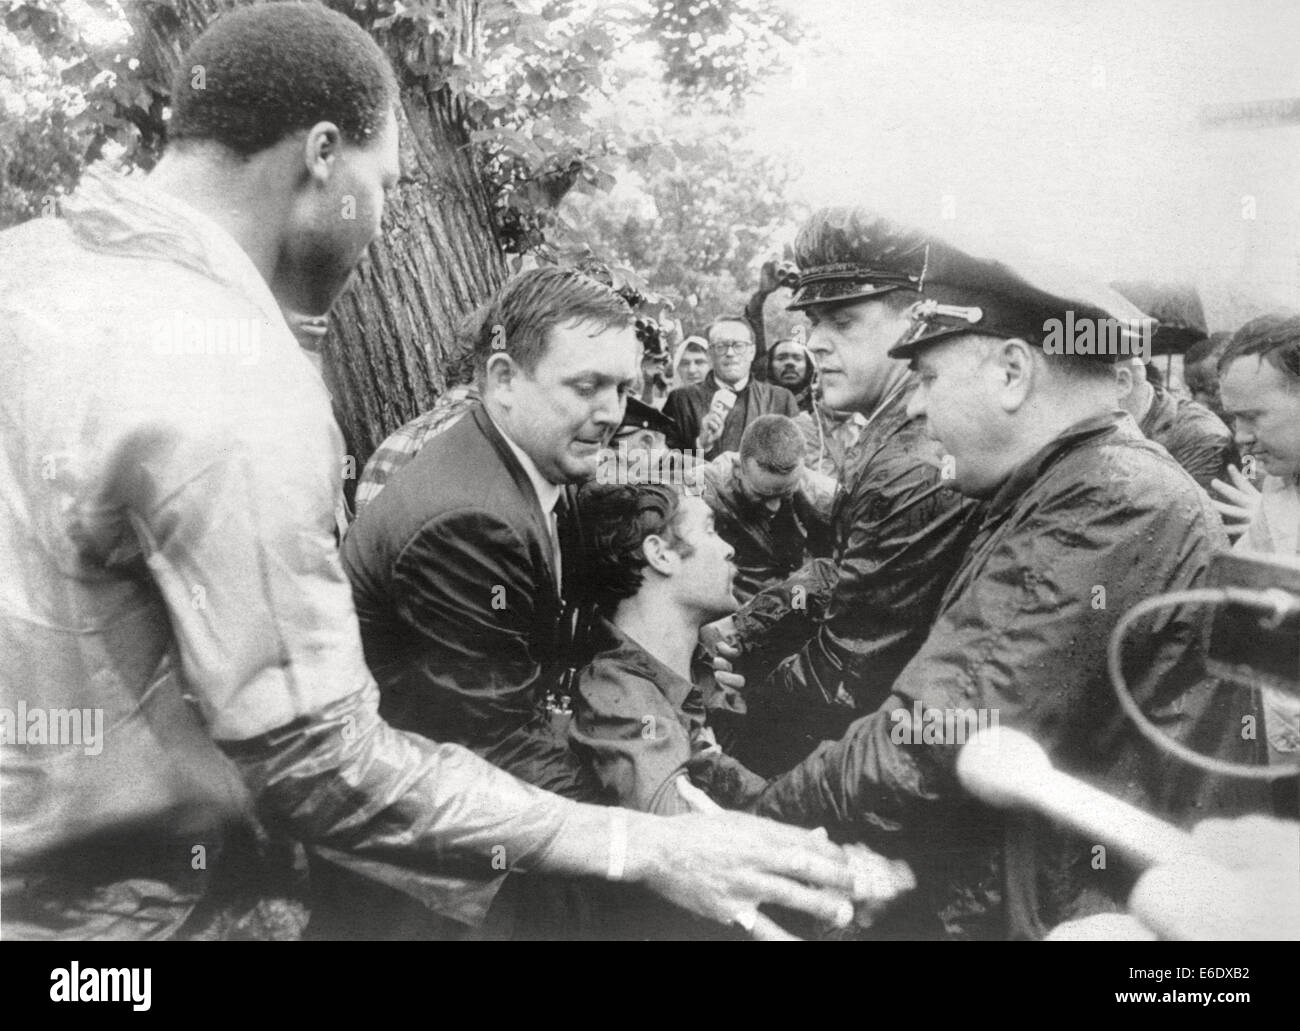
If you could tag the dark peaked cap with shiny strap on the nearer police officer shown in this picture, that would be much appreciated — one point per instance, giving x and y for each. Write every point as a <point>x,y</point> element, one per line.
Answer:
<point>1058,309</point>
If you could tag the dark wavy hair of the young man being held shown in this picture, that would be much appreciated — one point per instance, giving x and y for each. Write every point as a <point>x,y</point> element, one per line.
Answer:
<point>618,519</point>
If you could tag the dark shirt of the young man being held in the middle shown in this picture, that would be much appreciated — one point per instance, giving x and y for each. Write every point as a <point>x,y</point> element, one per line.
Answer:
<point>642,726</point>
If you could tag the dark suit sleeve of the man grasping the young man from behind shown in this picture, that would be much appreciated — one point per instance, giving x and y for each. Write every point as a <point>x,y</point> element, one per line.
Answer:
<point>469,584</point>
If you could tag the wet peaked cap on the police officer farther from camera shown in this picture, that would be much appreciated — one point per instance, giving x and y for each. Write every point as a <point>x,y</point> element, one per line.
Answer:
<point>851,254</point>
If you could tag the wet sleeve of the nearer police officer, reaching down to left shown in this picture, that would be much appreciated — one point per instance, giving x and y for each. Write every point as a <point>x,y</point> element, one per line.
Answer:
<point>1024,646</point>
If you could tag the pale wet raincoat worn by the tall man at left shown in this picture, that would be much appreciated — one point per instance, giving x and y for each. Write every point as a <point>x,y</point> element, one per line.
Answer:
<point>168,482</point>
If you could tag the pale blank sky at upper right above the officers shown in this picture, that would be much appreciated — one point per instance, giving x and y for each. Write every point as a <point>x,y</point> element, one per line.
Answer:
<point>1058,128</point>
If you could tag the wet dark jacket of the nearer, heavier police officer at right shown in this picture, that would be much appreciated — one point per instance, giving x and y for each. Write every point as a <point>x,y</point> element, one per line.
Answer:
<point>1095,523</point>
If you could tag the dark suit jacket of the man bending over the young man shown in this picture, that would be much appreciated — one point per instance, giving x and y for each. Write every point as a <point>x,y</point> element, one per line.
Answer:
<point>454,588</point>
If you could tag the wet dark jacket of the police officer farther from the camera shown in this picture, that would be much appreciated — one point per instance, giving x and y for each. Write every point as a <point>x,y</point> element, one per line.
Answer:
<point>902,532</point>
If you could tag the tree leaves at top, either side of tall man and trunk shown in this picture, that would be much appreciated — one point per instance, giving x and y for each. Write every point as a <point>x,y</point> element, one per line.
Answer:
<point>538,85</point>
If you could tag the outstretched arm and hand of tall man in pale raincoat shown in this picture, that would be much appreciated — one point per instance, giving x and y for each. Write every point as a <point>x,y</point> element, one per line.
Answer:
<point>271,655</point>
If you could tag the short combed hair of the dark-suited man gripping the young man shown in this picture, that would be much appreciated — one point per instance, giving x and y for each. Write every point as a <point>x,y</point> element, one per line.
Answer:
<point>525,311</point>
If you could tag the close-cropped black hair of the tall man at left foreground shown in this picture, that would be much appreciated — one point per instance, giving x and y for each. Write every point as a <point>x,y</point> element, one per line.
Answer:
<point>262,73</point>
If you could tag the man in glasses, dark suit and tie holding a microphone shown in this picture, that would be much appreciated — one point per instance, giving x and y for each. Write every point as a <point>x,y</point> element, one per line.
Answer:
<point>704,421</point>
